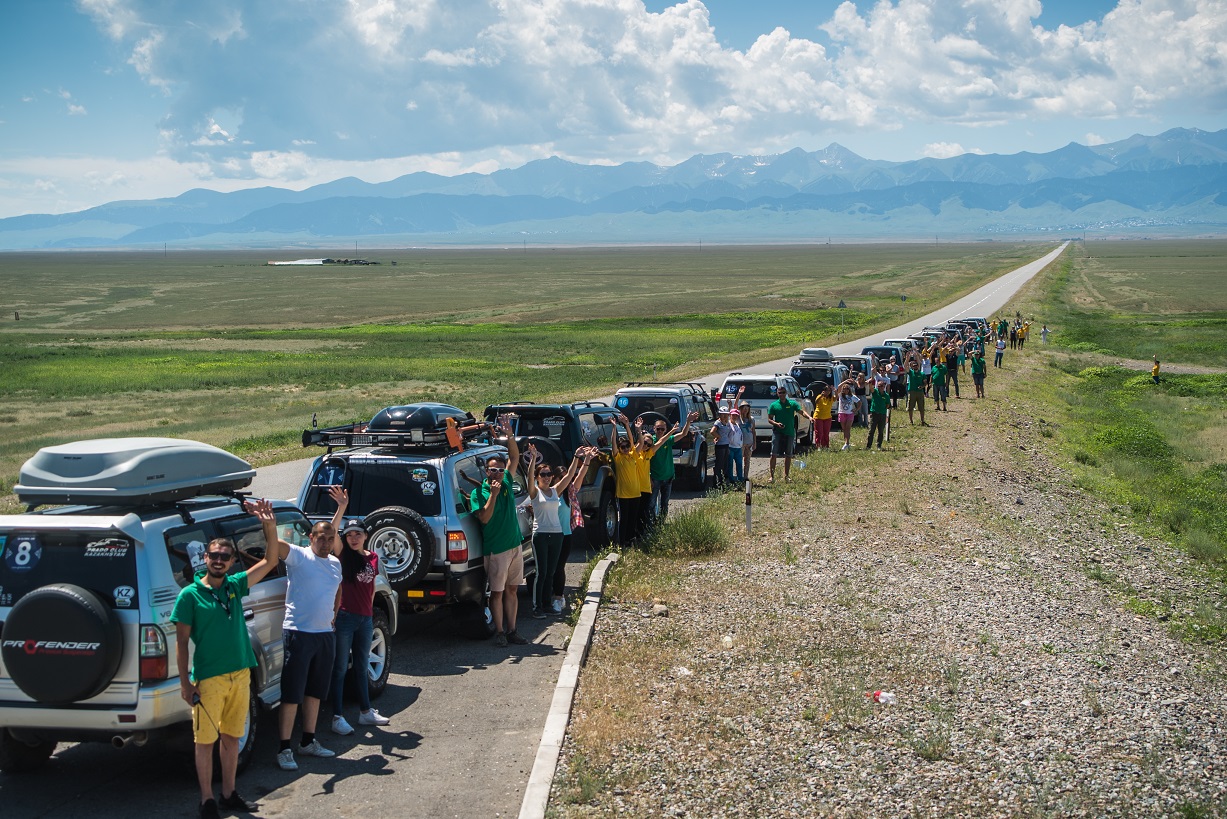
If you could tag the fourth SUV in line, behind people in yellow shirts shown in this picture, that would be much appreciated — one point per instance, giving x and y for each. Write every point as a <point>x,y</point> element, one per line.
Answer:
<point>695,454</point>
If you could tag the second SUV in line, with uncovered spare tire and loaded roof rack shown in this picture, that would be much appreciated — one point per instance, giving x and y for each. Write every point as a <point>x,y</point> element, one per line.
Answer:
<point>410,472</point>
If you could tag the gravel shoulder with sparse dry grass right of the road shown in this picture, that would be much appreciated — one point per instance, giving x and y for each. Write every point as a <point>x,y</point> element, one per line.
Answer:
<point>960,570</point>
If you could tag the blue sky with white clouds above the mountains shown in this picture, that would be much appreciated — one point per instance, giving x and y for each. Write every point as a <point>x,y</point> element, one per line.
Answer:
<point>111,100</point>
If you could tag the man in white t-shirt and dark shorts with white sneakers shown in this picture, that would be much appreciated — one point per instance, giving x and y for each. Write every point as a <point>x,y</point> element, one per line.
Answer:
<point>312,600</point>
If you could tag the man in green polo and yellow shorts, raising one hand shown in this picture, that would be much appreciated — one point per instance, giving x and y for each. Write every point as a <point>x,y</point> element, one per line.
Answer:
<point>209,615</point>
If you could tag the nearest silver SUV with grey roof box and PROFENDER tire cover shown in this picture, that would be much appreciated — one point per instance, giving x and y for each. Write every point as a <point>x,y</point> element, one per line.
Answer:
<point>88,651</point>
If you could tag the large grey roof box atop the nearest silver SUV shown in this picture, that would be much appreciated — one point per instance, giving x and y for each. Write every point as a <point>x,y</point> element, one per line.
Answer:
<point>127,471</point>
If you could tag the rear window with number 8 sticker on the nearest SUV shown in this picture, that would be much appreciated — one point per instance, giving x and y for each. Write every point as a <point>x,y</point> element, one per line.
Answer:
<point>104,563</point>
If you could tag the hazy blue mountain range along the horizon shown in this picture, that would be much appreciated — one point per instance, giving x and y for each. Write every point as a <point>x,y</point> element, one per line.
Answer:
<point>1174,184</point>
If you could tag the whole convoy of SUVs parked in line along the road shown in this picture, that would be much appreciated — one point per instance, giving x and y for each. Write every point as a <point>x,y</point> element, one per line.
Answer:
<point>88,584</point>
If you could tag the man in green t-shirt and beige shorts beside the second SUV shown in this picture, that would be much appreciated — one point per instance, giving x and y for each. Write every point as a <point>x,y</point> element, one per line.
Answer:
<point>494,504</point>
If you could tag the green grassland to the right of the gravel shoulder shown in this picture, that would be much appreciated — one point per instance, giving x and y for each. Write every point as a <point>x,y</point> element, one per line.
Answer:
<point>1158,452</point>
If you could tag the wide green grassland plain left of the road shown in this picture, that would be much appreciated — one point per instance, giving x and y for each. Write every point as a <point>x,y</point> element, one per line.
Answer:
<point>225,349</point>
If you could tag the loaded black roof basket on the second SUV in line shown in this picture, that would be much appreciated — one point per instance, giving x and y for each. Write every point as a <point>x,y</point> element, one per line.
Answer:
<point>410,427</point>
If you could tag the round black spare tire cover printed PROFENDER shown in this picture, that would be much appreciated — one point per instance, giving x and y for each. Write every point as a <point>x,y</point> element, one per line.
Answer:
<point>62,644</point>
